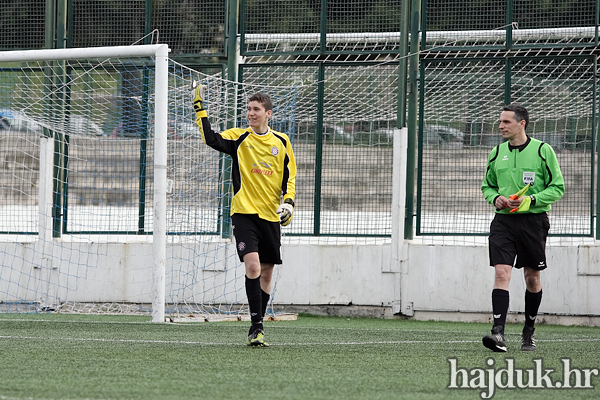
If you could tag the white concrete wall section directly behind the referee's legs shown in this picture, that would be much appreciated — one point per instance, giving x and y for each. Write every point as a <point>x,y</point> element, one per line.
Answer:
<point>458,278</point>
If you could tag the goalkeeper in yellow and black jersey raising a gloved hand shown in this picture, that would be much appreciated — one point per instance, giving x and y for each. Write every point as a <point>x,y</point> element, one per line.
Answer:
<point>264,181</point>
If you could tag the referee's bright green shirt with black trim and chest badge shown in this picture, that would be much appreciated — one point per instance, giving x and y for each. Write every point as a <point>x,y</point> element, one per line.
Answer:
<point>510,168</point>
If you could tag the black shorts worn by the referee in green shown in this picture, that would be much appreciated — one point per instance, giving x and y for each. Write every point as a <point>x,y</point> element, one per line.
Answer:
<point>520,236</point>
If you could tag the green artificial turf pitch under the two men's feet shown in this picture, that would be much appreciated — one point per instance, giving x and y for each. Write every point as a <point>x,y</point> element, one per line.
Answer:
<point>53,356</point>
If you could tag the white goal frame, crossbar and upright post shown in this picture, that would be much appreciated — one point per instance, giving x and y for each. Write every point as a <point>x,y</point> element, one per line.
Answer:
<point>160,53</point>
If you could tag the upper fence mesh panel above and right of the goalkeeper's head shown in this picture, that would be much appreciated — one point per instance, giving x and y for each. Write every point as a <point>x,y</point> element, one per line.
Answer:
<point>294,26</point>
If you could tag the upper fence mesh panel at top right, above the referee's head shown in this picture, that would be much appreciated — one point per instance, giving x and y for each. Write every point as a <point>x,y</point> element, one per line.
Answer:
<point>468,24</point>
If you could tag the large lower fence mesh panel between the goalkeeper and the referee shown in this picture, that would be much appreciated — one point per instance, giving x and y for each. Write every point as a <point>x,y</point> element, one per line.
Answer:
<point>344,164</point>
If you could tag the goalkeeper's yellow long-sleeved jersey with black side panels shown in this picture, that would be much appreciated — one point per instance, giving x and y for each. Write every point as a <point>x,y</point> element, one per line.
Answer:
<point>263,168</point>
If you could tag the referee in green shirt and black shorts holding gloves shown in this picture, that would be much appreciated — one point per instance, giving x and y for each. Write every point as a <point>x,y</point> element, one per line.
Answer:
<point>520,226</point>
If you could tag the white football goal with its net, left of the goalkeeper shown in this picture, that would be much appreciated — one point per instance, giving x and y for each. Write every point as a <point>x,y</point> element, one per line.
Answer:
<point>109,204</point>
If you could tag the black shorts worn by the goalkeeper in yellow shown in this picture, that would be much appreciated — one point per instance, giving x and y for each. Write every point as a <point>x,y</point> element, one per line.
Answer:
<point>254,234</point>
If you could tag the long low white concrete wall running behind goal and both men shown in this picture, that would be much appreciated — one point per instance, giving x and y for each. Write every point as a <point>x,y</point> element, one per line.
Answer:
<point>440,281</point>
